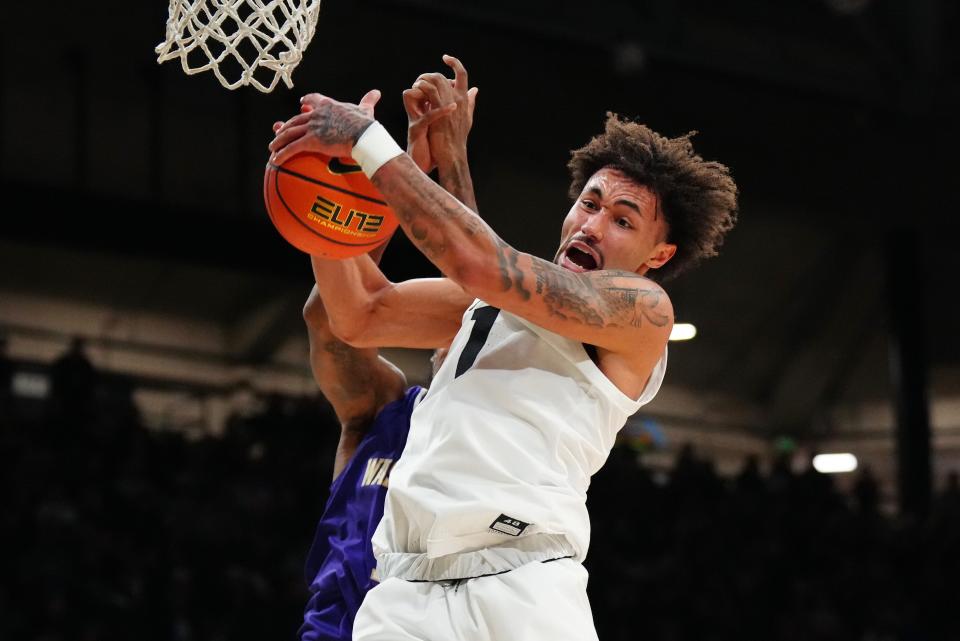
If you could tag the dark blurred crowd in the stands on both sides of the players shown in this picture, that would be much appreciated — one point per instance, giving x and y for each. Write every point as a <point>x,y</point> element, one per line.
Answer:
<point>113,531</point>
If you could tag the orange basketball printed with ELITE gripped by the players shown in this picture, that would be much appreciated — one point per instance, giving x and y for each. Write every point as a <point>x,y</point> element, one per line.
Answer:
<point>326,206</point>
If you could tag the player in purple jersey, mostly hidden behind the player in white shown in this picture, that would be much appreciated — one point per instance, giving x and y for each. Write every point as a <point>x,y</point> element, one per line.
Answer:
<point>367,394</point>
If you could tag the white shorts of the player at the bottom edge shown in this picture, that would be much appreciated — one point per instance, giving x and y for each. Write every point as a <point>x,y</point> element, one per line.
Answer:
<point>536,602</point>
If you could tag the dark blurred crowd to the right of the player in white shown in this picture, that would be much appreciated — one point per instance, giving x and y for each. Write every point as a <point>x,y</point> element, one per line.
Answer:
<point>781,556</point>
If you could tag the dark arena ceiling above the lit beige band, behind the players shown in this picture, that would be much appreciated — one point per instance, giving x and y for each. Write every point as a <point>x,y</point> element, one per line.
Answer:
<point>130,185</point>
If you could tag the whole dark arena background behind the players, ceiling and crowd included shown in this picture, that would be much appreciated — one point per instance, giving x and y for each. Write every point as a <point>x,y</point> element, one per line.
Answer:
<point>165,453</point>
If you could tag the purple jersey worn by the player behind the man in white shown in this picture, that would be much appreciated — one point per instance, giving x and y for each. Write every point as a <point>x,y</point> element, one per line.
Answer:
<point>340,563</point>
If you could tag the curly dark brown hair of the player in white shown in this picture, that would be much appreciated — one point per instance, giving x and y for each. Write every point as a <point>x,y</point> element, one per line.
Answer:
<point>698,198</point>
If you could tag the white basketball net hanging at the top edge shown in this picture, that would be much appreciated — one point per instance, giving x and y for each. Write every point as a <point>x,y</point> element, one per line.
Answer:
<point>244,42</point>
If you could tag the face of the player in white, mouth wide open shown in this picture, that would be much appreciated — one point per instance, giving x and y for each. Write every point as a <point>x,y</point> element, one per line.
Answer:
<point>614,224</point>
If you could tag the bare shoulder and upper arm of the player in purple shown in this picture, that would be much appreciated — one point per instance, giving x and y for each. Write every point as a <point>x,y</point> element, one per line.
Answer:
<point>356,382</point>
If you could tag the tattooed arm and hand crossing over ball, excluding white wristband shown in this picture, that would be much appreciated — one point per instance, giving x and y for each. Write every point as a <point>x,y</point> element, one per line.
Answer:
<point>618,311</point>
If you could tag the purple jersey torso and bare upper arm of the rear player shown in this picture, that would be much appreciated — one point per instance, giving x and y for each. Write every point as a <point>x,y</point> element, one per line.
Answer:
<point>367,394</point>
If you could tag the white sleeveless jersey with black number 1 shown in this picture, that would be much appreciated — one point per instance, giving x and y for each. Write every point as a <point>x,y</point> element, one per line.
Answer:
<point>500,453</point>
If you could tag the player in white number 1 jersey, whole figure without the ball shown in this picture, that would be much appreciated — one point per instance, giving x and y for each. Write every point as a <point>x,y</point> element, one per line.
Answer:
<point>485,523</point>
